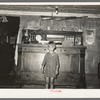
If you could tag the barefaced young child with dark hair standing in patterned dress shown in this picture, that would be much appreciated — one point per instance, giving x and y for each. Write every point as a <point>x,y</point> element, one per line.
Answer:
<point>50,65</point>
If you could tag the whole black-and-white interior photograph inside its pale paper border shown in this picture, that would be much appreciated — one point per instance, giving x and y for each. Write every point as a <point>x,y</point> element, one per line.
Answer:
<point>49,46</point>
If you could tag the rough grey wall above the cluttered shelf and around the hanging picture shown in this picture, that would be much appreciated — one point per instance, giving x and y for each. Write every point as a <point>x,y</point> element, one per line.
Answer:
<point>92,52</point>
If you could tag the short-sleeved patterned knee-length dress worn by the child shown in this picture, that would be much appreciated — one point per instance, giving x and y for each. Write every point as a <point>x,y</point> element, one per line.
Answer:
<point>50,62</point>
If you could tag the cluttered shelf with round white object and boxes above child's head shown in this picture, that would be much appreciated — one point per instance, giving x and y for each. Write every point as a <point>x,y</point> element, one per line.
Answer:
<point>64,38</point>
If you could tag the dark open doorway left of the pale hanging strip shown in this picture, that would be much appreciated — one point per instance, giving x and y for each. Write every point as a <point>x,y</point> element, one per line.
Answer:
<point>8,37</point>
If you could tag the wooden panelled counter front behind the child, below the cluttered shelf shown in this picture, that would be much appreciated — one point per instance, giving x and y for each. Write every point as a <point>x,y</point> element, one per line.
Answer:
<point>72,65</point>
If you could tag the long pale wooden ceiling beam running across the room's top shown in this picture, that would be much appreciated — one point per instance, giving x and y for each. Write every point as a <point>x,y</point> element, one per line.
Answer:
<point>31,13</point>
